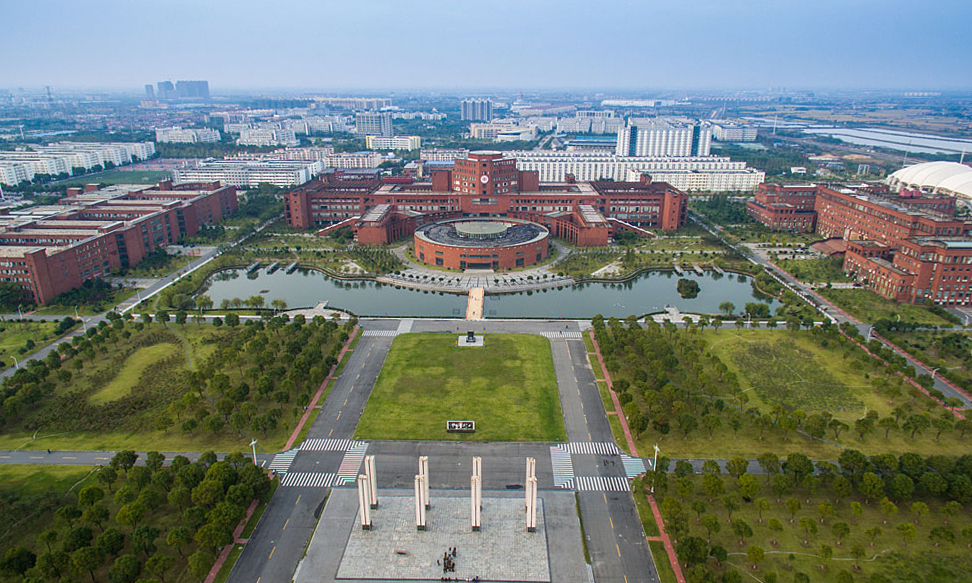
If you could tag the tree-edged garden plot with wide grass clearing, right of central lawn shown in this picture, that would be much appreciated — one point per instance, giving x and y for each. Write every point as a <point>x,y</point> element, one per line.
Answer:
<point>783,391</point>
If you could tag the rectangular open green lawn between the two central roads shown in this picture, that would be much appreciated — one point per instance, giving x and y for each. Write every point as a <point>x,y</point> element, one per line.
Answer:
<point>507,387</point>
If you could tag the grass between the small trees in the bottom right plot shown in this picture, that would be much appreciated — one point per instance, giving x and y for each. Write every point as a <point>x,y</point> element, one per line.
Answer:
<point>790,549</point>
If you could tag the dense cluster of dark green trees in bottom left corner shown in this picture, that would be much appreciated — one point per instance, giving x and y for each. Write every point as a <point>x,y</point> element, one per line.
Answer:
<point>149,521</point>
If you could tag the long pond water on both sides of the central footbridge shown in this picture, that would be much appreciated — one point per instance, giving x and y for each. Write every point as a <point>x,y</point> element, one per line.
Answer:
<point>651,292</point>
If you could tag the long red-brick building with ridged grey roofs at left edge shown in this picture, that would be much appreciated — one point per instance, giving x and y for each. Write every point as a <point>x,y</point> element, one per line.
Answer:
<point>52,250</point>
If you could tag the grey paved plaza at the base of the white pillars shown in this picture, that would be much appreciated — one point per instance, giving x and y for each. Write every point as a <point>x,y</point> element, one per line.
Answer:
<point>393,550</point>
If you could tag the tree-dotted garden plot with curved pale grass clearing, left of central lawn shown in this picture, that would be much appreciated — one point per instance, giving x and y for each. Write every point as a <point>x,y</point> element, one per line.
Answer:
<point>176,386</point>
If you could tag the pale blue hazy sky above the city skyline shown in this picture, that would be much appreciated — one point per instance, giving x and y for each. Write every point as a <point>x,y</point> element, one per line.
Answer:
<point>512,44</point>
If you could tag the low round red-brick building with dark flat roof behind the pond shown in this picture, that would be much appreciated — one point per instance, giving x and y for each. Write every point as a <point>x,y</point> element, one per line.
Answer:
<point>481,243</point>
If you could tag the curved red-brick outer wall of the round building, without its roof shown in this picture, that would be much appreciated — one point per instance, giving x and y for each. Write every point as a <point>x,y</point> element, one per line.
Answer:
<point>496,254</point>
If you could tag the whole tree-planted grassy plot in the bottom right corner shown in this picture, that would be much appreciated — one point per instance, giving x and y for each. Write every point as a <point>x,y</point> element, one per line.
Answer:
<point>887,519</point>
